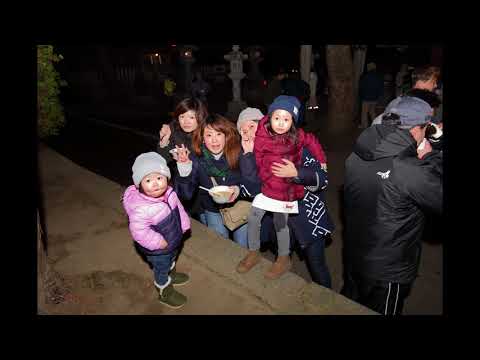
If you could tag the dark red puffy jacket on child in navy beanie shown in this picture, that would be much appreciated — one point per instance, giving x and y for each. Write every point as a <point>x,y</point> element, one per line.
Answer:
<point>270,148</point>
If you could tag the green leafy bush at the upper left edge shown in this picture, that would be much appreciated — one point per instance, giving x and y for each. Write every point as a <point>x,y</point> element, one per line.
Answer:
<point>50,116</point>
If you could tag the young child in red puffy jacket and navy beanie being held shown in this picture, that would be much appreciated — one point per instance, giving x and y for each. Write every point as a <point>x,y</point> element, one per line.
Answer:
<point>278,152</point>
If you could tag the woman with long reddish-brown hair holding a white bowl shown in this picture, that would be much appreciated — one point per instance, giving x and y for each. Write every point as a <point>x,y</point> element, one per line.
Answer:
<point>215,159</point>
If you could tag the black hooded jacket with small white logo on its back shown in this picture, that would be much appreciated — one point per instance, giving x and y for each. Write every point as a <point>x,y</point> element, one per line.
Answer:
<point>387,193</point>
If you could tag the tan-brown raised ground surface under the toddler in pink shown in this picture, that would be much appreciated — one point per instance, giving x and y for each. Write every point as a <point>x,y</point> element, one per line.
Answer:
<point>89,243</point>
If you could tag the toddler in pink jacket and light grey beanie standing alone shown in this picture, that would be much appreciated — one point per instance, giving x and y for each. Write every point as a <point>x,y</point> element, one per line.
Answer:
<point>157,222</point>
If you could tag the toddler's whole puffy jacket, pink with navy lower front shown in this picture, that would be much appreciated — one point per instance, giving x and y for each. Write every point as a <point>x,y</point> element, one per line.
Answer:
<point>156,224</point>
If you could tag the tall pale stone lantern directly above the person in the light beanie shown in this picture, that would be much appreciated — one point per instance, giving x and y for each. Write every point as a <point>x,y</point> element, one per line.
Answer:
<point>236,58</point>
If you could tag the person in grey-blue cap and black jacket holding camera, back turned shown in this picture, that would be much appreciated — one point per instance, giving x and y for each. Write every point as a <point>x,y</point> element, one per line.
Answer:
<point>393,179</point>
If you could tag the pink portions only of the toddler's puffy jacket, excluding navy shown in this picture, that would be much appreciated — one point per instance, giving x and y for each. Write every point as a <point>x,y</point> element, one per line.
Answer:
<point>144,211</point>
